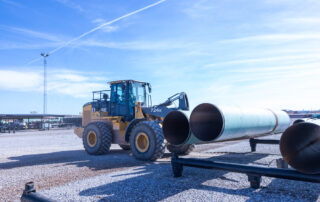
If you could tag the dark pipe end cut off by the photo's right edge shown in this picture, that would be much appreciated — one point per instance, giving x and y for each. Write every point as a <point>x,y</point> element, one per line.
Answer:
<point>300,147</point>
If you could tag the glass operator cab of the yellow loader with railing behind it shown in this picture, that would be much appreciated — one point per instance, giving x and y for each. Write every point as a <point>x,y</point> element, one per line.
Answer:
<point>124,95</point>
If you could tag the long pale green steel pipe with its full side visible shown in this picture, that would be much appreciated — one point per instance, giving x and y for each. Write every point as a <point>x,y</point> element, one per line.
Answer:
<point>210,123</point>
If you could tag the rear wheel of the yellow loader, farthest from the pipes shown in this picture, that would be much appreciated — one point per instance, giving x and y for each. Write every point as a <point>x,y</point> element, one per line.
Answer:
<point>97,138</point>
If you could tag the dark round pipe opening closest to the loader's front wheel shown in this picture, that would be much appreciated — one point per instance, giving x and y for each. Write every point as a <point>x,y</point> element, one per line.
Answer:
<point>175,128</point>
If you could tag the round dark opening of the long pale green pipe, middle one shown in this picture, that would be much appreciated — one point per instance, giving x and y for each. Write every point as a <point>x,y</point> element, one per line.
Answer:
<point>206,122</point>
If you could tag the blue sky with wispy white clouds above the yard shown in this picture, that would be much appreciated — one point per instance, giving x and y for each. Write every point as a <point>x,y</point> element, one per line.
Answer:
<point>248,53</point>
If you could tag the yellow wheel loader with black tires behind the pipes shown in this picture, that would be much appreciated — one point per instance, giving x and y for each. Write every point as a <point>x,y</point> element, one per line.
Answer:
<point>124,115</point>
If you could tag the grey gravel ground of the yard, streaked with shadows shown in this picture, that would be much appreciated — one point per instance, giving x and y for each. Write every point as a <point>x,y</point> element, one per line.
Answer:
<point>56,162</point>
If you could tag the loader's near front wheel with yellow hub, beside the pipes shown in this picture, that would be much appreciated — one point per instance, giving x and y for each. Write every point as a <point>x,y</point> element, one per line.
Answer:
<point>147,141</point>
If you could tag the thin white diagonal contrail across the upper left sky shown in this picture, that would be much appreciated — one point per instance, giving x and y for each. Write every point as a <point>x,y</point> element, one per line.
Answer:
<point>98,28</point>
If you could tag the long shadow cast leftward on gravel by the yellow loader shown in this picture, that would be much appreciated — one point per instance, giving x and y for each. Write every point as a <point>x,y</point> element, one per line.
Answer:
<point>116,158</point>
